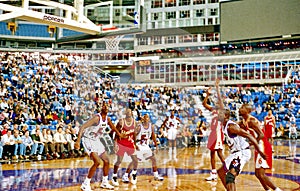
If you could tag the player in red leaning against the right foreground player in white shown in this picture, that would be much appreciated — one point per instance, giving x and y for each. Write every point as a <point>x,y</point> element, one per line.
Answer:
<point>252,125</point>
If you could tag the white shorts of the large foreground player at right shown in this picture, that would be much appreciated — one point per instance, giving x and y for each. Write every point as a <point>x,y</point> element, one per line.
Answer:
<point>243,155</point>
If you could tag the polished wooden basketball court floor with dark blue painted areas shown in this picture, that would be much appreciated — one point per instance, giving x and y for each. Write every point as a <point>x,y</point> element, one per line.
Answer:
<point>187,173</point>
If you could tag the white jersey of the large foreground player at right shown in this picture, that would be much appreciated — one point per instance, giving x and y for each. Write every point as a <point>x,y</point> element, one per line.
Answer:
<point>236,143</point>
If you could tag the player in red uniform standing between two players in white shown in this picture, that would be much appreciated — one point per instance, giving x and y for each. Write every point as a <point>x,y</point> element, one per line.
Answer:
<point>126,126</point>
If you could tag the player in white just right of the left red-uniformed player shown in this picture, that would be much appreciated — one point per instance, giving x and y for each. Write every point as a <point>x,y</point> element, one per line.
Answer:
<point>145,131</point>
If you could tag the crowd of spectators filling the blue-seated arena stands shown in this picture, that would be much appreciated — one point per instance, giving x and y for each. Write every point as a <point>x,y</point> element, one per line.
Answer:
<point>44,99</point>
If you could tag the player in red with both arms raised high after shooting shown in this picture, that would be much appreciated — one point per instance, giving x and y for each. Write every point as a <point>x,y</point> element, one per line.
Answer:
<point>216,137</point>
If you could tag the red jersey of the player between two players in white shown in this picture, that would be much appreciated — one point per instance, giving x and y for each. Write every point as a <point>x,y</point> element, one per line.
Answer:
<point>127,129</point>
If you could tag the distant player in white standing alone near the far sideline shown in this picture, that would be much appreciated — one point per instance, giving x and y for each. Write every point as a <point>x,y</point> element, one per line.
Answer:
<point>172,123</point>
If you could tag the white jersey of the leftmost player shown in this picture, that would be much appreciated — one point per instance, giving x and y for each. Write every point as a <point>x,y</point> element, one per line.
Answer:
<point>95,132</point>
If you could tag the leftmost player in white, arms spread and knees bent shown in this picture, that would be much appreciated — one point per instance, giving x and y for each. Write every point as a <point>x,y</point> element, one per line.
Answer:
<point>90,132</point>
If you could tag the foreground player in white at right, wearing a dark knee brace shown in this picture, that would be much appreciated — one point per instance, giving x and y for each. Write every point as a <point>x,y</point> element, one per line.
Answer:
<point>240,152</point>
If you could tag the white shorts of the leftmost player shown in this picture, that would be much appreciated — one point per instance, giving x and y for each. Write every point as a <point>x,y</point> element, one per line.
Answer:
<point>91,145</point>
